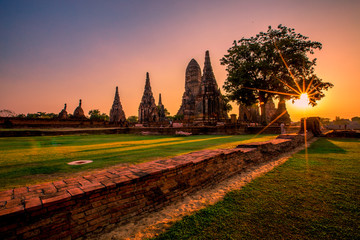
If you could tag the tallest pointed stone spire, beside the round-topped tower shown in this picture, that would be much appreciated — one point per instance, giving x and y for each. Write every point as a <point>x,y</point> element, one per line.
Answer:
<point>209,105</point>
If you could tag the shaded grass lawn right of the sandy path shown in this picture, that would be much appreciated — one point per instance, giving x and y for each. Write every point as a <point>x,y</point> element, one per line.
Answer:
<point>318,198</point>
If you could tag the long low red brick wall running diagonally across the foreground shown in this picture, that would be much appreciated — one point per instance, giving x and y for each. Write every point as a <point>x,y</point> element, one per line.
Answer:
<point>76,207</point>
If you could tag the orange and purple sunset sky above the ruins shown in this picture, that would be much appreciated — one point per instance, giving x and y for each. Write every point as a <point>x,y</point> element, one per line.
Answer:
<point>57,52</point>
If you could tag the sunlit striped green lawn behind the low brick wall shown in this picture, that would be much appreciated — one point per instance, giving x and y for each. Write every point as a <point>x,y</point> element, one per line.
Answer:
<point>29,160</point>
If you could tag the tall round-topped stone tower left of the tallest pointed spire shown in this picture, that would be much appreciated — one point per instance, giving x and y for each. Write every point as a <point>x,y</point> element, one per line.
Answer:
<point>192,89</point>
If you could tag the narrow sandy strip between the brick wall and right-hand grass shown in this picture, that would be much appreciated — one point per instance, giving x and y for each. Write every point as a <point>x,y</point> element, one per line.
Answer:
<point>156,222</point>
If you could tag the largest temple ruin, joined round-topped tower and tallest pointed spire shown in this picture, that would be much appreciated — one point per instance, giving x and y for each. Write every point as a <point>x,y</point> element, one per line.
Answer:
<point>202,100</point>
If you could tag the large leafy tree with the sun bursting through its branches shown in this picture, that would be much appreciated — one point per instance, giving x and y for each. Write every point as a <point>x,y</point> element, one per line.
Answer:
<point>272,64</point>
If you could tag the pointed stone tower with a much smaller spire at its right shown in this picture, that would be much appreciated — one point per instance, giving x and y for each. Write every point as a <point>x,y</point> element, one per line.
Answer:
<point>148,111</point>
